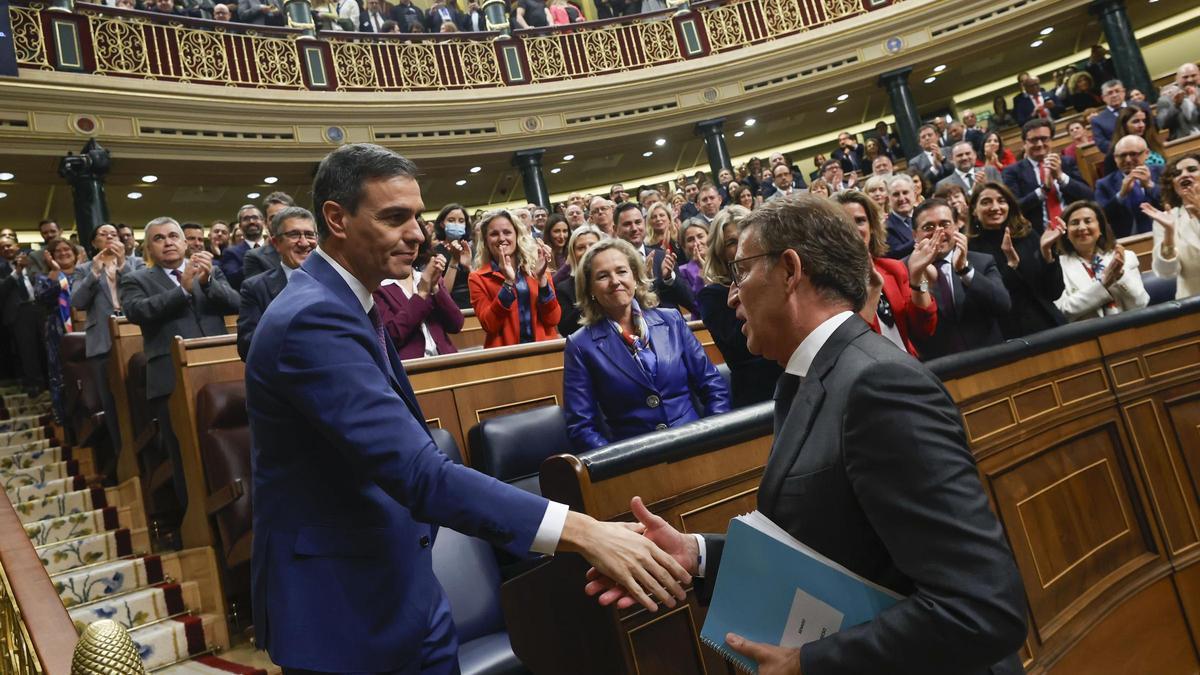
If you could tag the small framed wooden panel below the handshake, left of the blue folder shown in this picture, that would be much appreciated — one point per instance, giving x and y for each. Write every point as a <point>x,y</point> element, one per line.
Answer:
<point>667,644</point>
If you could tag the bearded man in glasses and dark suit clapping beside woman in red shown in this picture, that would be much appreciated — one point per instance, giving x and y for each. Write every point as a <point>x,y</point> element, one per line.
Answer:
<point>969,291</point>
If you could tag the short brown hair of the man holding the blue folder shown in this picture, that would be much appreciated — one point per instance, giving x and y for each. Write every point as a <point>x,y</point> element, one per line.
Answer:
<point>832,254</point>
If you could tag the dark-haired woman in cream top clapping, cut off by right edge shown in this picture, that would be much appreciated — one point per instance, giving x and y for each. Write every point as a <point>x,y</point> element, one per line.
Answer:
<point>1178,231</point>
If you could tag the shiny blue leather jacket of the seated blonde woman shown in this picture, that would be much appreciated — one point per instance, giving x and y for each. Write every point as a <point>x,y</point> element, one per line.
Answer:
<point>603,384</point>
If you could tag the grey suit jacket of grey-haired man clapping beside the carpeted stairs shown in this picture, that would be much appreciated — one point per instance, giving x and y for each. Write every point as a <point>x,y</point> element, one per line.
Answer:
<point>164,310</point>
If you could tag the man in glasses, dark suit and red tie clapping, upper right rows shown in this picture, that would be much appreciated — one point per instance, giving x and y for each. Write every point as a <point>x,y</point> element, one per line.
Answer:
<point>1045,182</point>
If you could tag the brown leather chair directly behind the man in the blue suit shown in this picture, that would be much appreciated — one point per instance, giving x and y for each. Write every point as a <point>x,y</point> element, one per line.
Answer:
<point>225,452</point>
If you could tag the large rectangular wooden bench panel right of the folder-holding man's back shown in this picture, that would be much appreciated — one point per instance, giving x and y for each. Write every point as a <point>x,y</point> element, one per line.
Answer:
<point>1070,518</point>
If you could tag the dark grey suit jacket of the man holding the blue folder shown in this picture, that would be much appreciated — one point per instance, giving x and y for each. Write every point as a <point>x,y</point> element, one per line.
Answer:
<point>872,468</point>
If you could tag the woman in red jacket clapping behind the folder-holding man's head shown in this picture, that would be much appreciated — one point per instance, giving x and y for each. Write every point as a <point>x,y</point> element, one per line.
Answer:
<point>903,307</point>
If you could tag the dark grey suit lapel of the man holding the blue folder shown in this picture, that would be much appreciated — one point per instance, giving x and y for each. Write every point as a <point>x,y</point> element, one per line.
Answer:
<point>794,434</point>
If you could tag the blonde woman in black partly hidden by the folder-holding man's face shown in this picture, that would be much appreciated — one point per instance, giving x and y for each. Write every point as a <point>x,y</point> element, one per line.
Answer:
<point>752,378</point>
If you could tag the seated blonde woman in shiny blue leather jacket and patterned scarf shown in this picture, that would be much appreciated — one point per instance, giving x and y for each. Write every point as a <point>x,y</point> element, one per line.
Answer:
<point>632,369</point>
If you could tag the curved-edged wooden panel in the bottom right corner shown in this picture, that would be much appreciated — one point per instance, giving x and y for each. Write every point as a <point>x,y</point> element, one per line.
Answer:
<point>1147,635</point>
